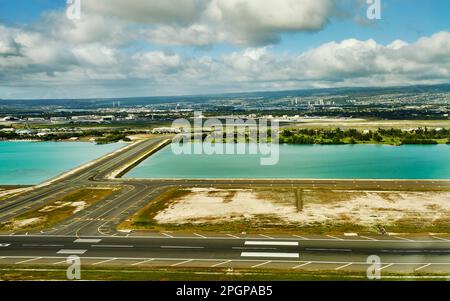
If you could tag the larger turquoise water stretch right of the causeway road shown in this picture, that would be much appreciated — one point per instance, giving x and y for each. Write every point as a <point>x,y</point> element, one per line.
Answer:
<point>298,161</point>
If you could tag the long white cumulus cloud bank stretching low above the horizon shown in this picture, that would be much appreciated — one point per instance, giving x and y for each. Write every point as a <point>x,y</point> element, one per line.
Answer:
<point>39,58</point>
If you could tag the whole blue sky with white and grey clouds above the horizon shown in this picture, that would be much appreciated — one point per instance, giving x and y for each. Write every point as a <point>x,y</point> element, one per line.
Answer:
<point>116,48</point>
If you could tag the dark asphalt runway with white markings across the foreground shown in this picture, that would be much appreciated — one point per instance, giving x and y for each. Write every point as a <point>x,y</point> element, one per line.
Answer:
<point>351,255</point>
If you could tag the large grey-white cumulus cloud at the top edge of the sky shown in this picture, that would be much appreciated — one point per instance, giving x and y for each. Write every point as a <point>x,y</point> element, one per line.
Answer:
<point>207,22</point>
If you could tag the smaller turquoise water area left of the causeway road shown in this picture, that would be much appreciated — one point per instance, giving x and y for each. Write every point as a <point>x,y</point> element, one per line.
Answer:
<point>28,163</point>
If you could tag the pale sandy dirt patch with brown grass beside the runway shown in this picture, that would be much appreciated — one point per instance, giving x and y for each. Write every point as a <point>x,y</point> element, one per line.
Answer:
<point>323,210</point>
